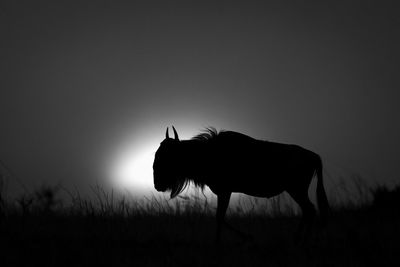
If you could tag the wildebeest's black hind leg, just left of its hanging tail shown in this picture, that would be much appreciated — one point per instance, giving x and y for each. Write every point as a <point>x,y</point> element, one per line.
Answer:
<point>308,215</point>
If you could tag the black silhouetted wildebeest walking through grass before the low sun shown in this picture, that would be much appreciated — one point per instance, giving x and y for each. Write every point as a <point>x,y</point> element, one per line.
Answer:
<point>228,161</point>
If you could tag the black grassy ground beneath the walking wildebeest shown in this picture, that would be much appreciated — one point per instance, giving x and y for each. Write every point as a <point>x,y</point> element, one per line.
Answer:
<point>358,236</point>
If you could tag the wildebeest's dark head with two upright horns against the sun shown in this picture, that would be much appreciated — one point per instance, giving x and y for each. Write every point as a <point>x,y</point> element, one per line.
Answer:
<point>166,170</point>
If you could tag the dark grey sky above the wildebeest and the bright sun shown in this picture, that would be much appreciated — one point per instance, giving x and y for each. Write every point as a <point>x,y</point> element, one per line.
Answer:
<point>80,80</point>
